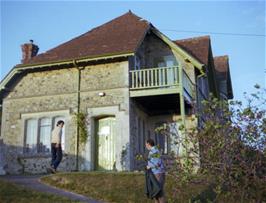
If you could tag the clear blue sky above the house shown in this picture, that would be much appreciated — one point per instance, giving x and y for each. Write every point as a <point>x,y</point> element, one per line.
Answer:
<point>50,23</point>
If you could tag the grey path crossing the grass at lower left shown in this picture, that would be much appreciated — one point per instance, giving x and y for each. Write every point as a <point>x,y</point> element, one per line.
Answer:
<point>33,182</point>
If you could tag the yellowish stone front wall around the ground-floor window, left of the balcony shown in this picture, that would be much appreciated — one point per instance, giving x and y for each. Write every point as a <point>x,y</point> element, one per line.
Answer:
<point>56,90</point>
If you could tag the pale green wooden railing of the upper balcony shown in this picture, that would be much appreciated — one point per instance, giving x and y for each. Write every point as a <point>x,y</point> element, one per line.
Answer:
<point>160,77</point>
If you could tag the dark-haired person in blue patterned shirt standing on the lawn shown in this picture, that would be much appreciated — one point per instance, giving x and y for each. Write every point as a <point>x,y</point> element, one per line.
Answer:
<point>155,163</point>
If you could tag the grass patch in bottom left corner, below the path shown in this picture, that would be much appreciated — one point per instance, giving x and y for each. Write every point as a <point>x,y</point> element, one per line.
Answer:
<point>11,193</point>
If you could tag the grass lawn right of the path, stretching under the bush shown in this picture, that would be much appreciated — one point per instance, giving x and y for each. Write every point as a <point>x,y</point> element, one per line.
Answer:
<point>123,187</point>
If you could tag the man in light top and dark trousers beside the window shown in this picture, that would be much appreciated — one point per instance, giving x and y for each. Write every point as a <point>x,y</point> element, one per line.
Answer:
<point>56,147</point>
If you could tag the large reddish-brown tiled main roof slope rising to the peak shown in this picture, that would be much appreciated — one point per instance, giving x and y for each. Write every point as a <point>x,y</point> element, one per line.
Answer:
<point>121,35</point>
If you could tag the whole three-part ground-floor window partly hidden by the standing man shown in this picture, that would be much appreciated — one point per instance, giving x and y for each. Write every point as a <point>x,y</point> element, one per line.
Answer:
<point>38,134</point>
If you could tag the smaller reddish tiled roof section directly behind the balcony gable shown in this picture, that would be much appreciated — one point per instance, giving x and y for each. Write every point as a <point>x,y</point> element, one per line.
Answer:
<point>198,47</point>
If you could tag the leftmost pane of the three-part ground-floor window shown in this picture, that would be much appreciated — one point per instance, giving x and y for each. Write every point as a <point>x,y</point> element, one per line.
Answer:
<point>31,135</point>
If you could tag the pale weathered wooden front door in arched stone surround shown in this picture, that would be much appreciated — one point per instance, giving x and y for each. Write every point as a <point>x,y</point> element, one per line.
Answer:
<point>106,130</point>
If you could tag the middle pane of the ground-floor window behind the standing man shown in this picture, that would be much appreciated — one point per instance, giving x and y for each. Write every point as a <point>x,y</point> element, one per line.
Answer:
<point>45,135</point>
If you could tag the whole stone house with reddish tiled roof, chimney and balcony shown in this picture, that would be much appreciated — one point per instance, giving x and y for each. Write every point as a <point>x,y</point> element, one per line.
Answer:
<point>125,76</point>
